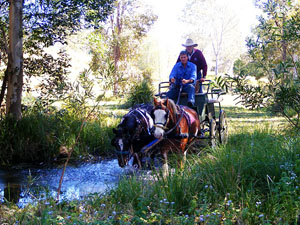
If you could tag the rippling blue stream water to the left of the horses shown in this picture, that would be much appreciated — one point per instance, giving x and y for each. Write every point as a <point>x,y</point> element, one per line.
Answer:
<point>24,184</point>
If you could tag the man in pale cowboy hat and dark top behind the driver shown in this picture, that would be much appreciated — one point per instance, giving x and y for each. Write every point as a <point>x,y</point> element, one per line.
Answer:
<point>195,56</point>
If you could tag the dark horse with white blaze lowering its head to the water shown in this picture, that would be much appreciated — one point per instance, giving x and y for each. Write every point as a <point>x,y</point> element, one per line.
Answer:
<point>132,134</point>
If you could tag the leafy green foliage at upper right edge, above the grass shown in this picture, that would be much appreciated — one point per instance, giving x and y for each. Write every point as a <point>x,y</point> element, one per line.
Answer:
<point>265,76</point>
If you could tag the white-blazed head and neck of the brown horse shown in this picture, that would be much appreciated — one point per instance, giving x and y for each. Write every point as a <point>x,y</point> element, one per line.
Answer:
<point>164,116</point>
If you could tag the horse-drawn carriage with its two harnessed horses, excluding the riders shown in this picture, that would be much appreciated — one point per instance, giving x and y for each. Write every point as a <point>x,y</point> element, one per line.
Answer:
<point>167,126</point>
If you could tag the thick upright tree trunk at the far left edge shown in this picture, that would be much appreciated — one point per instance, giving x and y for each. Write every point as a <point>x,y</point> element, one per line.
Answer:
<point>15,60</point>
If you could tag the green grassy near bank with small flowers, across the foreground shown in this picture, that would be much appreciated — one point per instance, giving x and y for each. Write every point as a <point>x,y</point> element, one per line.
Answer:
<point>254,179</point>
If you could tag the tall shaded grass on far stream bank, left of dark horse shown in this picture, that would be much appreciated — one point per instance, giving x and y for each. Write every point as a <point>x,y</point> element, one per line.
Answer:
<point>39,136</point>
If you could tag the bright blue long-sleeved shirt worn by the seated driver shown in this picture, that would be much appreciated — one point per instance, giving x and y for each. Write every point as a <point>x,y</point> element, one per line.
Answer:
<point>179,72</point>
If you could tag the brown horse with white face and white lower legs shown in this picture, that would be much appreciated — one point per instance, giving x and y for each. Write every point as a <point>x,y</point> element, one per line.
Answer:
<point>178,125</point>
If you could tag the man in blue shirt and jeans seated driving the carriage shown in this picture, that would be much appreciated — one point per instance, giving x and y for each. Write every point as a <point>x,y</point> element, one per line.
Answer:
<point>182,78</point>
